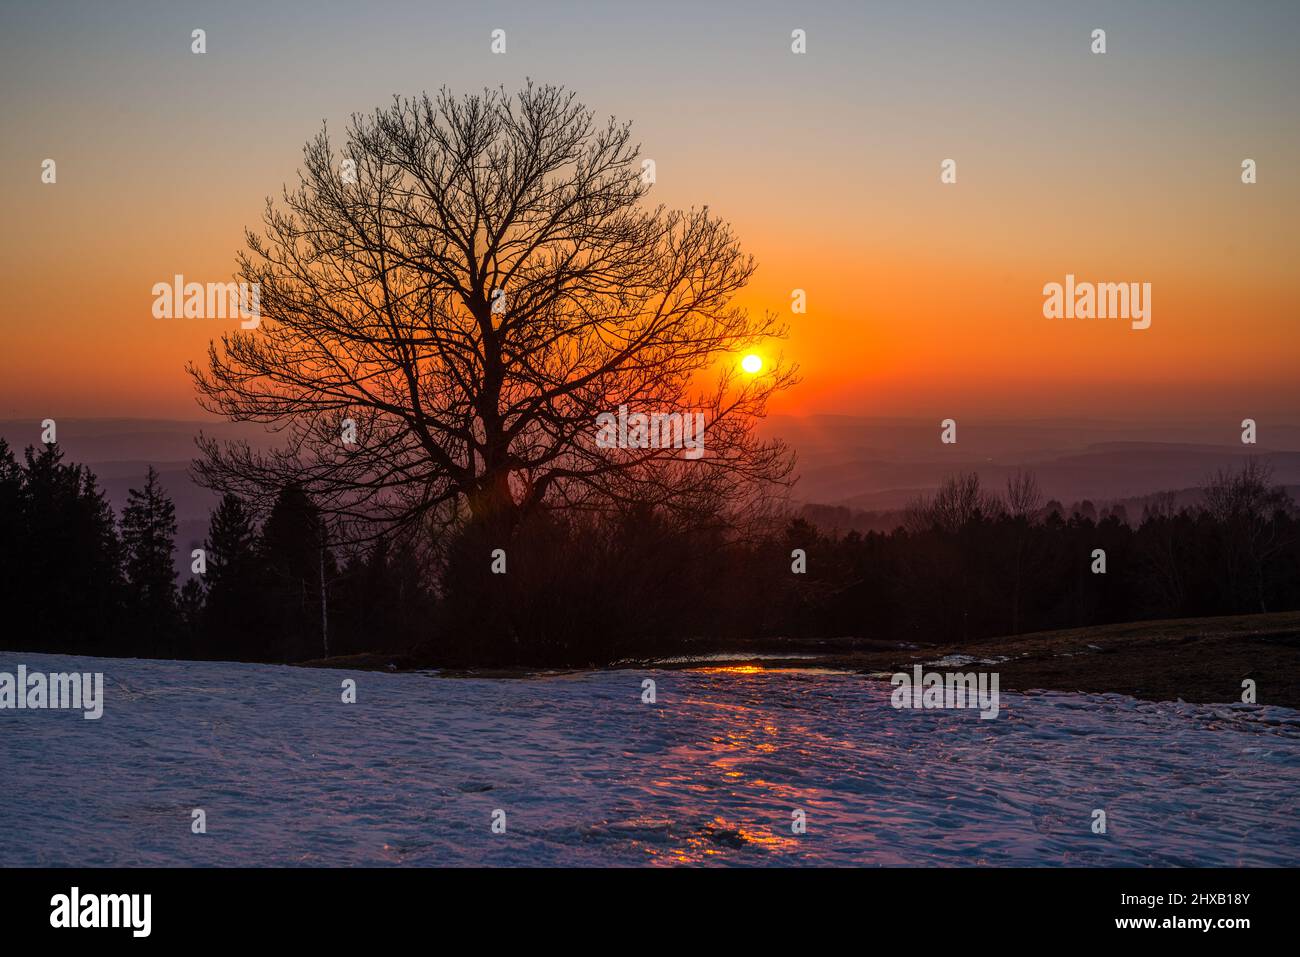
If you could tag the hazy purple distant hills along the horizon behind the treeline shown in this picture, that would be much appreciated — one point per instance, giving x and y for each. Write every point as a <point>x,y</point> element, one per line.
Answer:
<point>861,464</point>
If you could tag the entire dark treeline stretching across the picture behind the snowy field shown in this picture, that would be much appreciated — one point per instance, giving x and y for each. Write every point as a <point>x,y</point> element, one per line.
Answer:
<point>579,590</point>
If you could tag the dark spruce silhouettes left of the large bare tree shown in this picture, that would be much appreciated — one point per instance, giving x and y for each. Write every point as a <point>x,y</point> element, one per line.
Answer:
<point>76,579</point>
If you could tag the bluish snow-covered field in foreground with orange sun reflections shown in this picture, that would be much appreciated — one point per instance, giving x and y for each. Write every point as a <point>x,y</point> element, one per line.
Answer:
<point>587,774</point>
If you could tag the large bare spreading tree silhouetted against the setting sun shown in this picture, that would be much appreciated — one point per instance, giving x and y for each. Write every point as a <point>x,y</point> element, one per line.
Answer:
<point>473,282</point>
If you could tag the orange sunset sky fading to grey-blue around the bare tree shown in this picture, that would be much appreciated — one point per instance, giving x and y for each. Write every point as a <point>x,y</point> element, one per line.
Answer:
<point>924,298</point>
